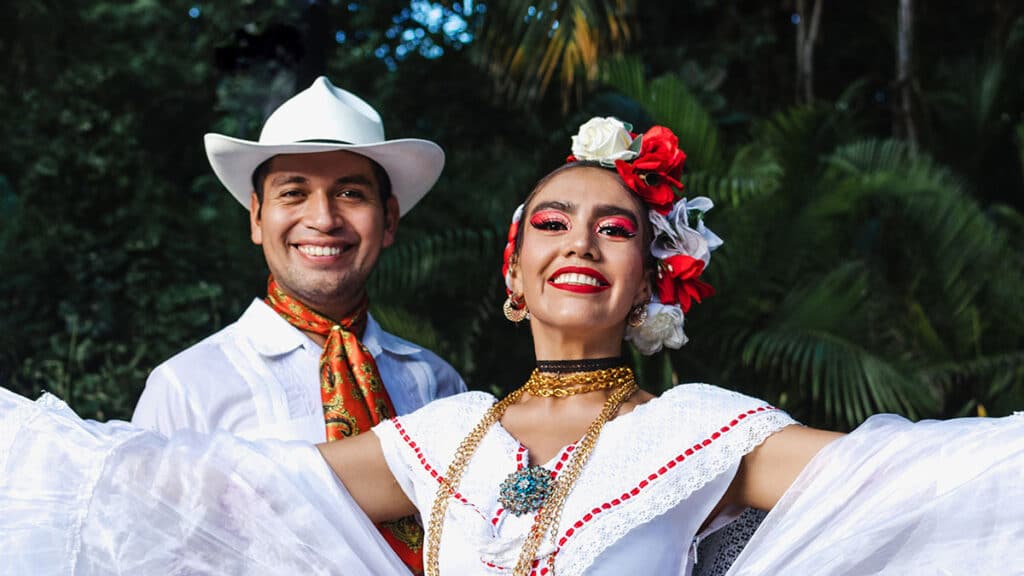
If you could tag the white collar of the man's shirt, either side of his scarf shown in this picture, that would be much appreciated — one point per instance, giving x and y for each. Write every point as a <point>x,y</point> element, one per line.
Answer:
<point>273,336</point>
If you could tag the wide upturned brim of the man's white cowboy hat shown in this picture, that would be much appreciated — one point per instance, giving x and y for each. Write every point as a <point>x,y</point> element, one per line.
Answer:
<point>412,164</point>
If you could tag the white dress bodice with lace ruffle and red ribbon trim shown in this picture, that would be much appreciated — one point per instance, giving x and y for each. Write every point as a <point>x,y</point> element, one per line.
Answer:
<point>653,479</point>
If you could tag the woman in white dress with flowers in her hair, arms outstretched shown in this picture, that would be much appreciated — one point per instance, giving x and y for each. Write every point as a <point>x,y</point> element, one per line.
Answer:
<point>578,472</point>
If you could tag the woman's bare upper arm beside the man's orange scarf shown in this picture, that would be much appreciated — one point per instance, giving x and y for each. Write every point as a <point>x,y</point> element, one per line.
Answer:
<point>360,464</point>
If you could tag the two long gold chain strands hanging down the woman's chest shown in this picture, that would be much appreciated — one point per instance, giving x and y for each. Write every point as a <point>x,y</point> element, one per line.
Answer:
<point>547,518</point>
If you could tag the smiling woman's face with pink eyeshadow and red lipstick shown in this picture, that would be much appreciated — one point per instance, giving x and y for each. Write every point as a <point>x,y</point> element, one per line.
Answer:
<point>582,260</point>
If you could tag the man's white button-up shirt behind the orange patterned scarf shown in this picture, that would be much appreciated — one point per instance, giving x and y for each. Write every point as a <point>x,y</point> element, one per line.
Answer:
<point>260,378</point>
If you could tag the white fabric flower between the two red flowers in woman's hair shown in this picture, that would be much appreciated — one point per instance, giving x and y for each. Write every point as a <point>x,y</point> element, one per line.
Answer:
<point>673,234</point>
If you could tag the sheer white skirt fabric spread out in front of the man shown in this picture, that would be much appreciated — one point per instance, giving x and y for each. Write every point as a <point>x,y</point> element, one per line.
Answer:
<point>82,498</point>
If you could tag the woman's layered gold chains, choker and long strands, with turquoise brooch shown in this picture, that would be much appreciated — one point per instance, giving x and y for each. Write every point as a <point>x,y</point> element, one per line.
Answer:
<point>533,490</point>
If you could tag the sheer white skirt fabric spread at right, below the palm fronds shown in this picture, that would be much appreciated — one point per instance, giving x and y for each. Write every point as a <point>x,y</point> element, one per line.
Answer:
<point>897,498</point>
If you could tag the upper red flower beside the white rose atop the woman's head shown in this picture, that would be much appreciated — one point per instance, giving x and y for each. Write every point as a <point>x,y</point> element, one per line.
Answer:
<point>655,174</point>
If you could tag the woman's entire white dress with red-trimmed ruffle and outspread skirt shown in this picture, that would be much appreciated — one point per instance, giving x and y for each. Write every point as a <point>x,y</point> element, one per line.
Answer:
<point>893,498</point>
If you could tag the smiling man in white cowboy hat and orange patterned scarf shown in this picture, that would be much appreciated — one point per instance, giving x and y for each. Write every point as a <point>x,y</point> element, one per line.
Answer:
<point>325,192</point>
